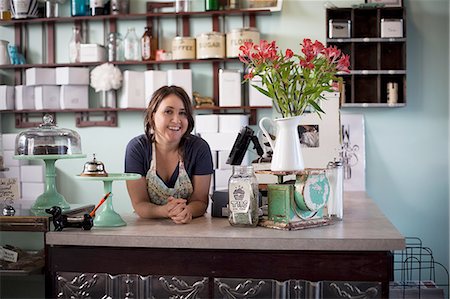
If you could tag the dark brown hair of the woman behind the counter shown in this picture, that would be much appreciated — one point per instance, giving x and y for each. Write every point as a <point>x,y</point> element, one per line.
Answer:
<point>157,97</point>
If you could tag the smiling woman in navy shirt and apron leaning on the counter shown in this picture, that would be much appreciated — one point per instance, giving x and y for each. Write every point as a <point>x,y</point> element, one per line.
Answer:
<point>176,166</point>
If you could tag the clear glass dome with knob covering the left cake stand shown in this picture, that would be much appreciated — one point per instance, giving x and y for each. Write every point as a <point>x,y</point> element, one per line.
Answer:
<point>48,139</point>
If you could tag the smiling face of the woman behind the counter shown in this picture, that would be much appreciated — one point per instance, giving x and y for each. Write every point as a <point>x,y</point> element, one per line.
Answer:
<point>170,120</point>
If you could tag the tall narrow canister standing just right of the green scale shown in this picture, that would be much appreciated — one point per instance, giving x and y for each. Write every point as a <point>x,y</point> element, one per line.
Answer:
<point>335,205</point>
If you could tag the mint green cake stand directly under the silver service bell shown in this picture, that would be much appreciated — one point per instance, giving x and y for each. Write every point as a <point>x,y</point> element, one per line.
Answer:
<point>107,216</point>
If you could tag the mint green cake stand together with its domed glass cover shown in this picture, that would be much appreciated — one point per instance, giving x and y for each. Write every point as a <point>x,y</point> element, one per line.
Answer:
<point>48,143</point>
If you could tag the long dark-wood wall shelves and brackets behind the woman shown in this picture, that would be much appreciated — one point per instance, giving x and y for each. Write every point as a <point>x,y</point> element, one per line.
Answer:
<point>109,116</point>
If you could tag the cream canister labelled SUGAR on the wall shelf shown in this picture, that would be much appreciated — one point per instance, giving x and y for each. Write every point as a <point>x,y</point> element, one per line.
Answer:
<point>211,45</point>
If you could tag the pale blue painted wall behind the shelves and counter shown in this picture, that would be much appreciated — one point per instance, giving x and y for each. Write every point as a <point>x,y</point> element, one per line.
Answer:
<point>407,148</point>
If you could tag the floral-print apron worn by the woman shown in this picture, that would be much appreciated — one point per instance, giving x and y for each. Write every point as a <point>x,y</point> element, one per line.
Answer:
<point>157,188</point>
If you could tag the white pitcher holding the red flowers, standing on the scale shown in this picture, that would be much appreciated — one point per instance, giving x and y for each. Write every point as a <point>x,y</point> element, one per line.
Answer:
<point>287,154</point>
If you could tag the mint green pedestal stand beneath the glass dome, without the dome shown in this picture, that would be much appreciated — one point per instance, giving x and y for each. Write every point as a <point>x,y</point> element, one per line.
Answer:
<point>50,197</point>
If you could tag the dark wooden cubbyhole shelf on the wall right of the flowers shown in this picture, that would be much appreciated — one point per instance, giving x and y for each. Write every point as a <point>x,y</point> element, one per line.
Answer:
<point>375,60</point>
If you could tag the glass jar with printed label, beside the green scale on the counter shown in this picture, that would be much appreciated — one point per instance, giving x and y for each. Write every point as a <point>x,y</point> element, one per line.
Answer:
<point>243,197</point>
